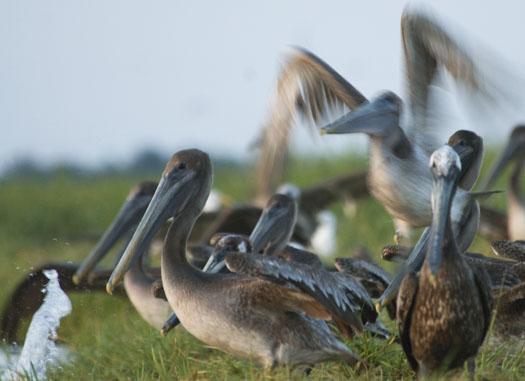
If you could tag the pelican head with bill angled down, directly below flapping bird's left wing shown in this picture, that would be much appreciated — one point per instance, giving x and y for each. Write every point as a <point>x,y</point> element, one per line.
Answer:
<point>275,226</point>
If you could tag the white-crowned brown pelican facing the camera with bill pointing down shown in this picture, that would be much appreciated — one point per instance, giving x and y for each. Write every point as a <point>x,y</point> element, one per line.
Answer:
<point>444,311</point>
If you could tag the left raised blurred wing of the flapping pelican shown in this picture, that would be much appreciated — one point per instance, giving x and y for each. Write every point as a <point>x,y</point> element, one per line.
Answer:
<point>306,87</point>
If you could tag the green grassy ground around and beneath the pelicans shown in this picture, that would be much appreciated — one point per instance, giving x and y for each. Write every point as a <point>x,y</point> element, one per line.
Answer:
<point>60,219</point>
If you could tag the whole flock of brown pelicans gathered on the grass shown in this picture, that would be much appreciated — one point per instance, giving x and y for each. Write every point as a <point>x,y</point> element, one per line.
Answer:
<point>262,295</point>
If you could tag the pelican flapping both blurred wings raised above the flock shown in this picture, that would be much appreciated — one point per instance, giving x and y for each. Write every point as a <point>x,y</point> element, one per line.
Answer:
<point>397,171</point>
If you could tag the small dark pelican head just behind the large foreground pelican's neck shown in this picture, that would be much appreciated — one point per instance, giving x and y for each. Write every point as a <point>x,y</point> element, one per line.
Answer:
<point>225,243</point>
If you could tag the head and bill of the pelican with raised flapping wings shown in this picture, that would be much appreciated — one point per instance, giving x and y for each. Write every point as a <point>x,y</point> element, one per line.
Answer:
<point>376,118</point>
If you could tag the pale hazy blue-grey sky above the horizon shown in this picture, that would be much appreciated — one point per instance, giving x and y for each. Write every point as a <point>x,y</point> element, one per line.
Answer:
<point>94,80</point>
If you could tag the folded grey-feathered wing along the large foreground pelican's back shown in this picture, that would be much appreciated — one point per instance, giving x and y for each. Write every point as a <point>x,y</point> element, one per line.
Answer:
<point>344,299</point>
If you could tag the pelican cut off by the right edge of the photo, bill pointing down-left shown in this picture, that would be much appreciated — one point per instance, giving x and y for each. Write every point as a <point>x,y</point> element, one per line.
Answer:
<point>514,151</point>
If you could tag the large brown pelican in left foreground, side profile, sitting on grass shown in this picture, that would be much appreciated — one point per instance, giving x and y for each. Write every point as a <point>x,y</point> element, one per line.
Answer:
<point>240,314</point>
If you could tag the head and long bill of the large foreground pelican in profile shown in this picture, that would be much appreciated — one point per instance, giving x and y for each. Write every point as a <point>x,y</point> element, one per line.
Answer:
<point>182,192</point>
